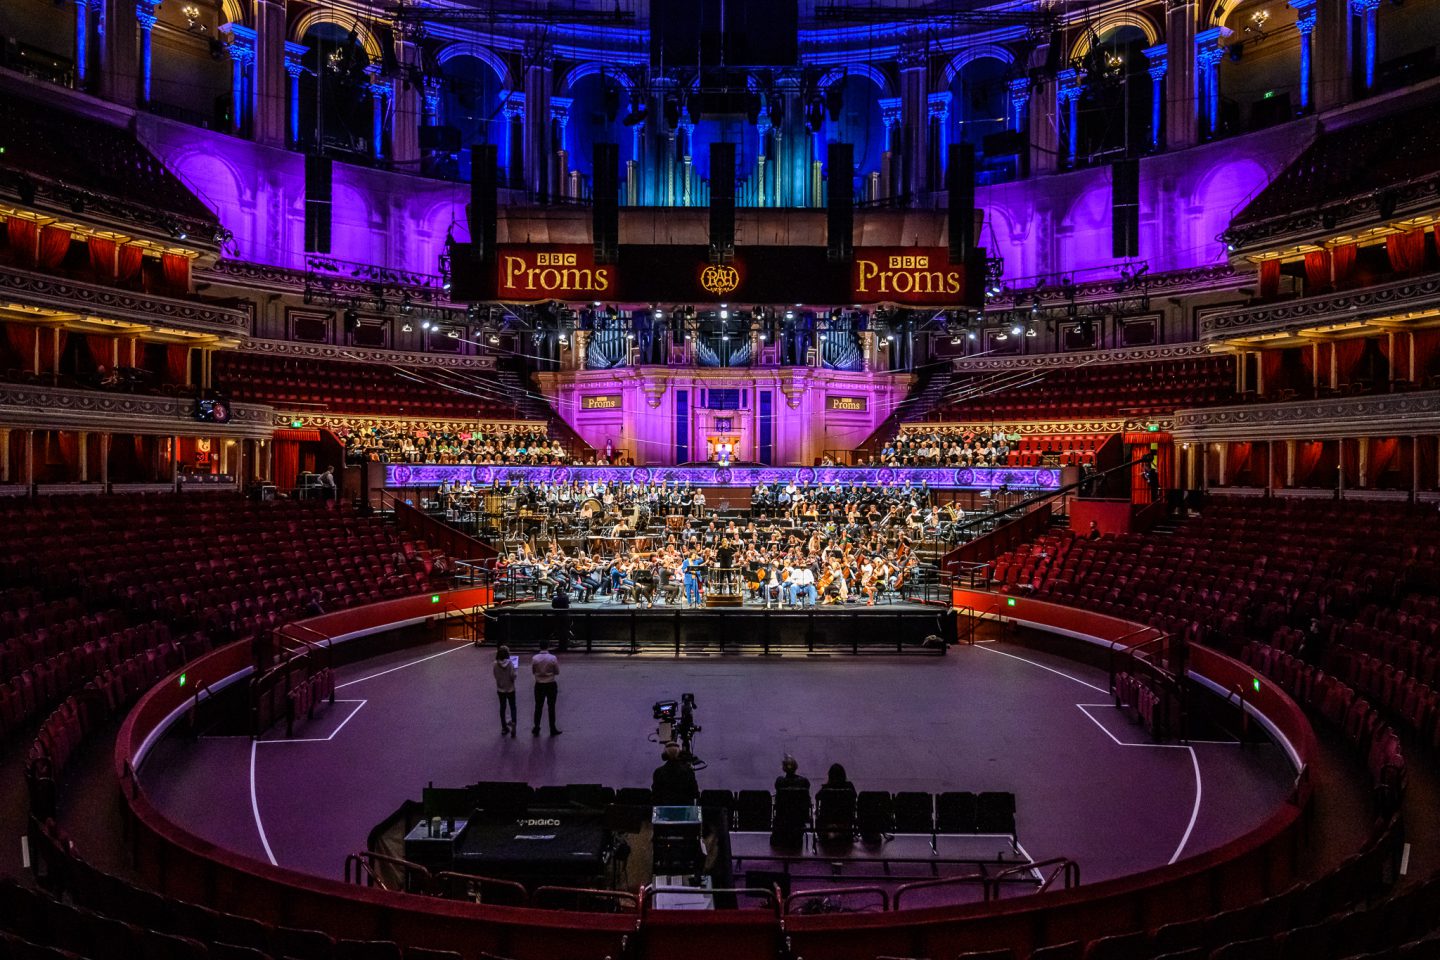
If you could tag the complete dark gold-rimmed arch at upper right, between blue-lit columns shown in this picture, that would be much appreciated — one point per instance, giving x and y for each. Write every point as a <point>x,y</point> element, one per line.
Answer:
<point>1115,100</point>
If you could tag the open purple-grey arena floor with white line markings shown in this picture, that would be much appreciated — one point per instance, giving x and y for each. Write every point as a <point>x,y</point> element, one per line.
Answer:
<point>986,717</point>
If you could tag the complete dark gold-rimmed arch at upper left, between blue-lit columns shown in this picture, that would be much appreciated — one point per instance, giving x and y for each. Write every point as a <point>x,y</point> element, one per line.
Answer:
<point>336,110</point>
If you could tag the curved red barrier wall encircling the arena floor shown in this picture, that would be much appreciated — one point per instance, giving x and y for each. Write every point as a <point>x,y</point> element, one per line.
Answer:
<point>178,863</point>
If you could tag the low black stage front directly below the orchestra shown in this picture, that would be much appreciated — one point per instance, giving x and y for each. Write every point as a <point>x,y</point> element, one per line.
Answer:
<point>728,631</point>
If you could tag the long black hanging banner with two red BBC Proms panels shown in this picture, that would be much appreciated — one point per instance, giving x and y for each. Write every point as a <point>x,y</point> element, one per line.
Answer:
<point>646,274</point>
